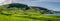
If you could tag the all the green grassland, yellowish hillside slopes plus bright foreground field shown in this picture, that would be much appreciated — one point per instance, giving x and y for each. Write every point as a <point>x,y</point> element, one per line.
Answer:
<point>14,14</point>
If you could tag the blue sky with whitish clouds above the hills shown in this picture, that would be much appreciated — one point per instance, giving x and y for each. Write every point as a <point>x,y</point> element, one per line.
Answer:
<point>49,4</point>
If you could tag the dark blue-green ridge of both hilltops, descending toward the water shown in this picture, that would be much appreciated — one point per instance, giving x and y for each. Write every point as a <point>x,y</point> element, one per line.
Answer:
<point>36,8</point>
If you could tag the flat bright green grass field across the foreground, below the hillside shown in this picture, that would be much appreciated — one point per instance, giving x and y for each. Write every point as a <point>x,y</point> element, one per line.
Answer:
<point>31,17</point>
